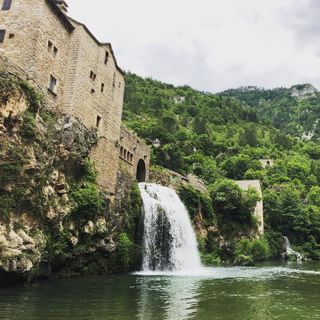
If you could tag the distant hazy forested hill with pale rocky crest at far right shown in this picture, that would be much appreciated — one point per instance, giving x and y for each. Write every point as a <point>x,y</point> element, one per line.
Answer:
<point>295,110</point>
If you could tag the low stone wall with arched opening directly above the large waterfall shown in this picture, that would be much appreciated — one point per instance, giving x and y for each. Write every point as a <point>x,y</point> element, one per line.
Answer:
<point>133,152</point>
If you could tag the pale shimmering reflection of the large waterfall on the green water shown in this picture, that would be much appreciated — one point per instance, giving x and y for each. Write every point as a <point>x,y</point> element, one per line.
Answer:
<point>178,297</point>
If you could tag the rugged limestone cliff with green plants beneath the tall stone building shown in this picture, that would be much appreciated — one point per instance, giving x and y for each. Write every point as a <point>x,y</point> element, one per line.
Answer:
<point>53,217</point>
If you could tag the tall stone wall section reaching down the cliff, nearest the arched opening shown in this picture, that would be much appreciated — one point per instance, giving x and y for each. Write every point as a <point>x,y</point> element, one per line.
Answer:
<point>97,101</point>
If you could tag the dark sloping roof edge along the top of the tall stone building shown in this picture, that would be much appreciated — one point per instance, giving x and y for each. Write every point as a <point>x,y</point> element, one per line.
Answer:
<point>67,22</point>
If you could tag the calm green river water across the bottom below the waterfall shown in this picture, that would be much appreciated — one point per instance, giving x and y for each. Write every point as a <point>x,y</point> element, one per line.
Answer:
<point>266,292</point>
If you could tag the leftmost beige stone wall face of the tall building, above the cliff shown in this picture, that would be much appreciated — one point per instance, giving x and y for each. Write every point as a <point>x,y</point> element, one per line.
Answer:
<point>30,26</point>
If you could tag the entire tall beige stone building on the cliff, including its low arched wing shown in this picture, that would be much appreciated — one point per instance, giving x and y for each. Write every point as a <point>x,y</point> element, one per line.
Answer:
<point>77,74</point>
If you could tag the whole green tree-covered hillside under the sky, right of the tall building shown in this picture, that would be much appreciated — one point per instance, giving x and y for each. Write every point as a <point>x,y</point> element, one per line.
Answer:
<point>219,137</point>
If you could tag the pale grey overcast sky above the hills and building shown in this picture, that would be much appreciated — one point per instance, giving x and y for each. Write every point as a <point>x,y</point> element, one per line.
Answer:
<point>211,45</point>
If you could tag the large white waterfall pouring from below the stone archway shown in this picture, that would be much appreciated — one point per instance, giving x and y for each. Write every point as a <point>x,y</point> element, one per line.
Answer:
<point>169,242</point>
